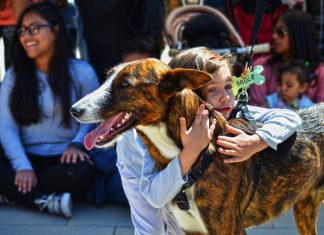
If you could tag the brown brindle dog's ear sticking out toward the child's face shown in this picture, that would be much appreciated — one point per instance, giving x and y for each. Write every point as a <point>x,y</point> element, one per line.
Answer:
<point>175,80</point>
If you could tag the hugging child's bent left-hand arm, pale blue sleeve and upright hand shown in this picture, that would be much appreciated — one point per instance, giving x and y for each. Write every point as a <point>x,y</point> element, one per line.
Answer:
<point>160,187</point>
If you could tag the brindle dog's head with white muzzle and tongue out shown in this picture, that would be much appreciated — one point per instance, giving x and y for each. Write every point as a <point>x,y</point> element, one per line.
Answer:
<point>135,93</point>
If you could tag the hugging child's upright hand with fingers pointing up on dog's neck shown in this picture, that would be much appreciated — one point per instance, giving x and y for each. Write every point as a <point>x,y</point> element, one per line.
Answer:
<point>195,139</point>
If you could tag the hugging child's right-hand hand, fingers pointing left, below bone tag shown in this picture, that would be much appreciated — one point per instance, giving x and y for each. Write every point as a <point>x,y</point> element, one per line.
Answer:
<point>241,147</point>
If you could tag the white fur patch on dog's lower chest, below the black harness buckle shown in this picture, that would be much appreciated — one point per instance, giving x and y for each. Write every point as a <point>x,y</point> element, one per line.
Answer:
<point>192,221</point>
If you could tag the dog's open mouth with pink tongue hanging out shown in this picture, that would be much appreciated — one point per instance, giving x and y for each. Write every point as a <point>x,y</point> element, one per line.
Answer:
<point>108,129</point>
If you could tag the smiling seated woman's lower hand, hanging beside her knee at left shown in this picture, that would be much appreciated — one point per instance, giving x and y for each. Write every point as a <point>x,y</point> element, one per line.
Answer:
<point>25,180</point>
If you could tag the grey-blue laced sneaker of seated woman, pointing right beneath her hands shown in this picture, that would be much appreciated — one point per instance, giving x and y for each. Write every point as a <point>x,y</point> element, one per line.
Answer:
<point>56,204</point>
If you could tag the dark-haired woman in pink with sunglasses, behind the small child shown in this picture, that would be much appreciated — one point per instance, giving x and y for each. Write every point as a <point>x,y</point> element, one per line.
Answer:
<point>293,37</point>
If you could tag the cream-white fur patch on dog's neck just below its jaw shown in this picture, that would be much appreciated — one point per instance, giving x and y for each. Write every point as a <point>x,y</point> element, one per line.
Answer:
<point>159,137</point>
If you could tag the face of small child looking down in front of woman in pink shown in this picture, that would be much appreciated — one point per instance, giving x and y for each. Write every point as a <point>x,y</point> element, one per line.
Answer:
<point>289,87</point>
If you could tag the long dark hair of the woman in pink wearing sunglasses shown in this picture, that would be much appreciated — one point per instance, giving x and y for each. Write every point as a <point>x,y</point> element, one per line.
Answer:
<point>302,38</point>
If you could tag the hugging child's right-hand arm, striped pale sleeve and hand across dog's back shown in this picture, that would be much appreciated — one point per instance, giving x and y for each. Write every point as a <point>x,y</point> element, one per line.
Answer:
<point>278,125</point>
